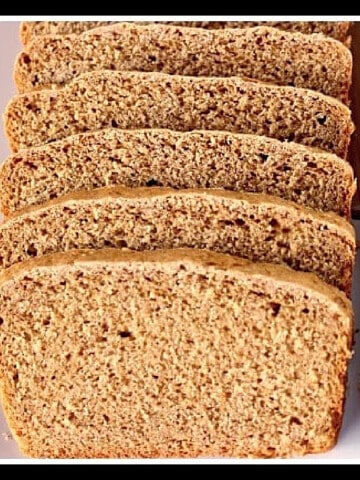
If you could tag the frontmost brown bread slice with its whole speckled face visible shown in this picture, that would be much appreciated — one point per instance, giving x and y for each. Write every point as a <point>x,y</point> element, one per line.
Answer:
<point>178,353</point>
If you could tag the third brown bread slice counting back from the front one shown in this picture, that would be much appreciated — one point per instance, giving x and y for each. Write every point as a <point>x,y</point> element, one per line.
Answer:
<point>197,159</point>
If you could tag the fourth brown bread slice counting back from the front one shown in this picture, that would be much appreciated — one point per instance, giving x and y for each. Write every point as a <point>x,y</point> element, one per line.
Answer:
<point>140,100</point>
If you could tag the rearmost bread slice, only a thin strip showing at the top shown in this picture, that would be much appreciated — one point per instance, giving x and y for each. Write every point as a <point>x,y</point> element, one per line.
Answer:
<point>338,30</point>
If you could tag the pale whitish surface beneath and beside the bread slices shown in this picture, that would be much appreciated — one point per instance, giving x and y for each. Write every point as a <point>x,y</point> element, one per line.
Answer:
<point>349,442</point>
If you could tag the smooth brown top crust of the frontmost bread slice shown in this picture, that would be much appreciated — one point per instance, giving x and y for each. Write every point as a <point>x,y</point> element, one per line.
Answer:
<point>278,273</point>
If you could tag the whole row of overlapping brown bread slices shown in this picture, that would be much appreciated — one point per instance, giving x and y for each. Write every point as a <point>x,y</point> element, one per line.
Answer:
<point>176,256</point>
